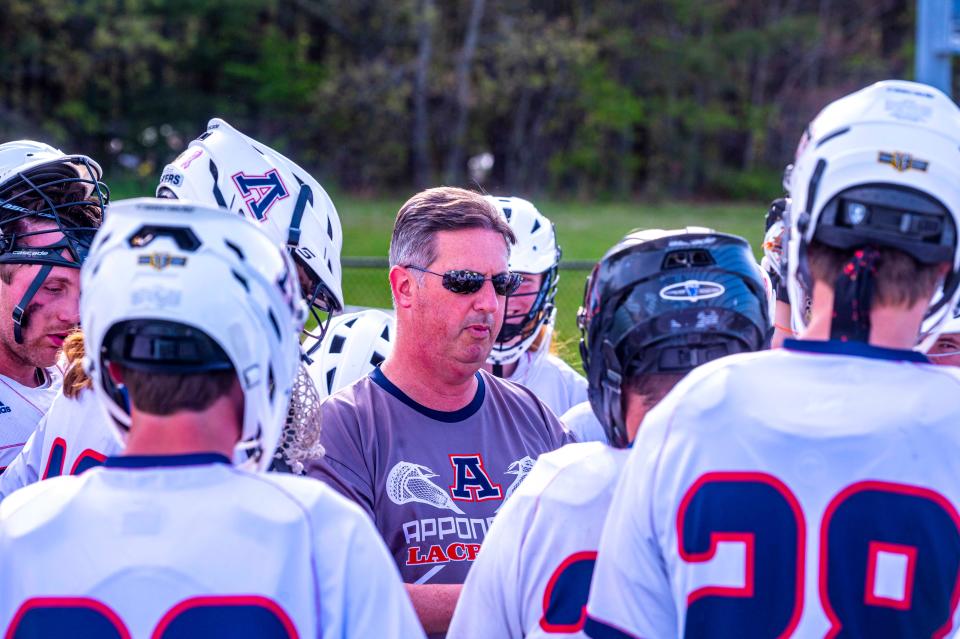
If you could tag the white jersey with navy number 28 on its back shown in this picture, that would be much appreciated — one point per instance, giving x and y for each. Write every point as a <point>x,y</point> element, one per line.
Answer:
<point>805,492</point>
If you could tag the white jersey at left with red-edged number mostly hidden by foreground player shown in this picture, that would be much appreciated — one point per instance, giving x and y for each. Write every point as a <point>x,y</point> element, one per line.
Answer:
<point>73,436</point>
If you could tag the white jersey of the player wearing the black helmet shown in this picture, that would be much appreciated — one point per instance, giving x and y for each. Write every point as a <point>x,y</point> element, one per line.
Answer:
<point>532,575</point>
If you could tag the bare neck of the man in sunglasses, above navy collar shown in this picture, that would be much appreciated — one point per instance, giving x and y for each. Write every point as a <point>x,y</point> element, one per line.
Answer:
<point>438,385</point>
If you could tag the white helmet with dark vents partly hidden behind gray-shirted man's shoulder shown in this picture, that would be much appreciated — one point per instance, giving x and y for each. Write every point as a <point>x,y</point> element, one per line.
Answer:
<point>355,344</point>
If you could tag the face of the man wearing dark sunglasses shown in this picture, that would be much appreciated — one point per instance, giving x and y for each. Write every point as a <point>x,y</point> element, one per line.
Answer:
<point>462,327</point>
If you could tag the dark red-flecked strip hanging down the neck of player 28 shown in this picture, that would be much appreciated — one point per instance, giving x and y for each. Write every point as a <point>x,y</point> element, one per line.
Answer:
<point>853,295</point>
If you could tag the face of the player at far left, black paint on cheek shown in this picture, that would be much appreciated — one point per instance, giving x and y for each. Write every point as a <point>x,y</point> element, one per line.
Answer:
<point>51,314</point>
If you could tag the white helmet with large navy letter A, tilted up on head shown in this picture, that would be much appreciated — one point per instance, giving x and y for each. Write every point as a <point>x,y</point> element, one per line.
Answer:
<point>226,168</point>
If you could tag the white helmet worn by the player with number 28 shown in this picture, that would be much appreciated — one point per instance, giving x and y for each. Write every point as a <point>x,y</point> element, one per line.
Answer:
<point>879,166</point>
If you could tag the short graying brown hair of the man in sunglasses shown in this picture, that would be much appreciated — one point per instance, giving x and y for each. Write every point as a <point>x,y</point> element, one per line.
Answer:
<point>443,208</point>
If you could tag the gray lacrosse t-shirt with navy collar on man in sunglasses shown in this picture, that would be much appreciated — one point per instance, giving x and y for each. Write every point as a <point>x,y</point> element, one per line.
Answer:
<point>432,480</point>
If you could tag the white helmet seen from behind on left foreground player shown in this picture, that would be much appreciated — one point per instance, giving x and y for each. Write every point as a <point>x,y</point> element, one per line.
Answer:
<point>179,287</point>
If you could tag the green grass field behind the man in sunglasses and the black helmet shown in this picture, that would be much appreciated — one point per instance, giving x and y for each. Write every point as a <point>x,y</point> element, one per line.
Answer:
<point>584,230</point>
